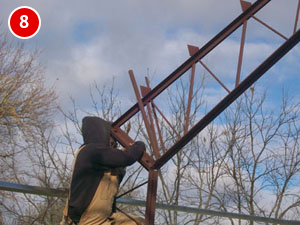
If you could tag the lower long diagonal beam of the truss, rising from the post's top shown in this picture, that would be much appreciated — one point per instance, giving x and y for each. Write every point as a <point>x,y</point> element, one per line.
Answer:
<point>218,109</point>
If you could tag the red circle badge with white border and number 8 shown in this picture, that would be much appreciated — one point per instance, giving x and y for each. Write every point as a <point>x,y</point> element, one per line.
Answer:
<point>24,22</point>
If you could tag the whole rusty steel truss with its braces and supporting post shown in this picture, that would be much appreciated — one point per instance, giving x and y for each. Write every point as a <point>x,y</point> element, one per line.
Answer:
<point>196,55</point>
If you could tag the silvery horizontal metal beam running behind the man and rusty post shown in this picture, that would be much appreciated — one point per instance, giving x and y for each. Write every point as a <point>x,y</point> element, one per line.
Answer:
<point>27,189</point>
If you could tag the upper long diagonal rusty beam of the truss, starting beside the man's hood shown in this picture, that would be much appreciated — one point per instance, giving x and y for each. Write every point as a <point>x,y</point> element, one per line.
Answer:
<point>193,59</point>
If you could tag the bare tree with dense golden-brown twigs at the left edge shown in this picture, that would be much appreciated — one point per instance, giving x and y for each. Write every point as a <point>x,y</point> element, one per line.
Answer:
<point>26,107</point>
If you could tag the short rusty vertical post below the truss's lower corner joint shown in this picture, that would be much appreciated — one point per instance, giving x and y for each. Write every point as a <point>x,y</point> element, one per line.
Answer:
<point>151,197</point>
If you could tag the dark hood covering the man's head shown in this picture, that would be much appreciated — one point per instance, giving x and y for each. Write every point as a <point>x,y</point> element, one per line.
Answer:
<point>95,130</point>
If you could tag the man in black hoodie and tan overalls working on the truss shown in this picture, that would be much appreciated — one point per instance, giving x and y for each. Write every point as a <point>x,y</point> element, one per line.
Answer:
<point>98,169</point>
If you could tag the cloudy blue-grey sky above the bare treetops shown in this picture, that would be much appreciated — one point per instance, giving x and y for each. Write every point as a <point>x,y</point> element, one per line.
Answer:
<point>82,42</point>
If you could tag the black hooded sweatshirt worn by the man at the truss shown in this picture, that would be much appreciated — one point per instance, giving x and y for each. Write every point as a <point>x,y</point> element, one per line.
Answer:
<point>93,160</point>
